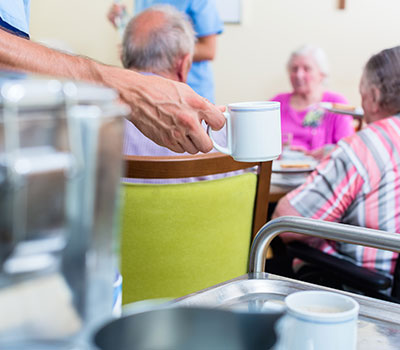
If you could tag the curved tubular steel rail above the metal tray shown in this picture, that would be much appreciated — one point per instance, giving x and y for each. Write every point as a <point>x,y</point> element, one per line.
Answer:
<point>317,228</point>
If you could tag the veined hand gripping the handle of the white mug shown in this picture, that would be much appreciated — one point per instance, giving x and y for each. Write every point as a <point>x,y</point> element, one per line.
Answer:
<point>168,112</point>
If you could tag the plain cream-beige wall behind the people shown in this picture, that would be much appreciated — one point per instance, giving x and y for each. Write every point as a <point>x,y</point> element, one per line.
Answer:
<point>251,59</point>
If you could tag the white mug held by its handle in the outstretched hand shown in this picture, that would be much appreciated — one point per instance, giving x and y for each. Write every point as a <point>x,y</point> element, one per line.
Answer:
<point>253,131</point>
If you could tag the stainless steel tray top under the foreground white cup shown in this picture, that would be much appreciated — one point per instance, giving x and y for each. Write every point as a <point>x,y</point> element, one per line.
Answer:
<point>378,325</point>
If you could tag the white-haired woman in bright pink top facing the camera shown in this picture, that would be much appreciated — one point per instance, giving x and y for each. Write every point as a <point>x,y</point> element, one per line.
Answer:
<point>311,126</point>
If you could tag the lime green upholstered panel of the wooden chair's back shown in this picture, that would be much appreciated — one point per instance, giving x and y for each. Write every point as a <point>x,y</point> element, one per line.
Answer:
<point>181,238</point>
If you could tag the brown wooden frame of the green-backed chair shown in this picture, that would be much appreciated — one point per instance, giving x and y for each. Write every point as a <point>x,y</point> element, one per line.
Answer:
<point>146,167</point>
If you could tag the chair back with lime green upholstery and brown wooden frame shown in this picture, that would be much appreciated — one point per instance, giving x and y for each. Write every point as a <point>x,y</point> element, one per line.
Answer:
<point>181,238</point>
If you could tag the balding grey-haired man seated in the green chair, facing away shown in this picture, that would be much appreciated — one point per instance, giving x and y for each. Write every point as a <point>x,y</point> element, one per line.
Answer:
<point>158,41</point>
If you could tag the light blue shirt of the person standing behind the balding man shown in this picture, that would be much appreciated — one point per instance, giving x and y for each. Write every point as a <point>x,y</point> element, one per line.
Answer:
<point>206,21</point>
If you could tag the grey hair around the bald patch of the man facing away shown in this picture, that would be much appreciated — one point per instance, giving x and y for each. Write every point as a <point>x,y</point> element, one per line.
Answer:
<point>174,38</point>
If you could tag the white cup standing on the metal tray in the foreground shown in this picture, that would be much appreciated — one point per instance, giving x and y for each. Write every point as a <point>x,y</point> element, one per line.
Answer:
<point>319,320</point>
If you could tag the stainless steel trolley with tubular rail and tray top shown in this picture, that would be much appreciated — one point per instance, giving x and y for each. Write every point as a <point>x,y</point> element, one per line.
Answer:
<point>379,321</point>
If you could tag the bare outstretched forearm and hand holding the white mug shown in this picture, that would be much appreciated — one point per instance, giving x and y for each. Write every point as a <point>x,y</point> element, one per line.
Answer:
<point>168,112</point>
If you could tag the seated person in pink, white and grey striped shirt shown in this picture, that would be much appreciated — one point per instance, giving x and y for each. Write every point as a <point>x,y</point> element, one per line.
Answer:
<point>359,182</point>
